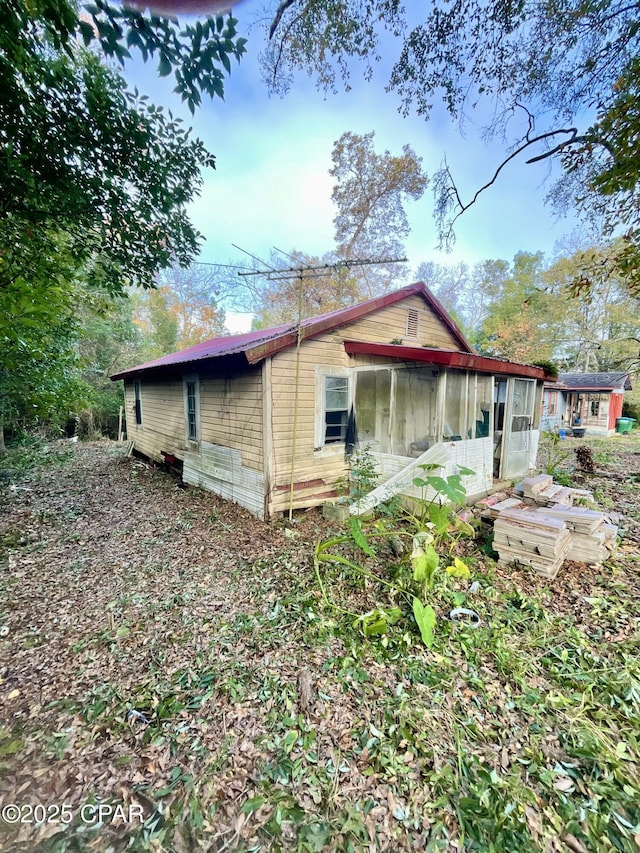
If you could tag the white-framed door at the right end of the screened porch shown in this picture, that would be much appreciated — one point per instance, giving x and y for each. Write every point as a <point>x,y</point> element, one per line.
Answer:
<point>519,411</point>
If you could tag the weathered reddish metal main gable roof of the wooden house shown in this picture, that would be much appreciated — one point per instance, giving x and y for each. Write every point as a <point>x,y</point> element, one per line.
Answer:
<point>255,346</point>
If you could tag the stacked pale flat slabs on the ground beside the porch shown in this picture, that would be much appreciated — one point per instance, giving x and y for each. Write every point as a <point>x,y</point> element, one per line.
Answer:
<point>540,527</point>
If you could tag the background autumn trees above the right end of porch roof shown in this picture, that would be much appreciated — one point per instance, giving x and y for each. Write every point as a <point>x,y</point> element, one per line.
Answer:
<point>522,310</point>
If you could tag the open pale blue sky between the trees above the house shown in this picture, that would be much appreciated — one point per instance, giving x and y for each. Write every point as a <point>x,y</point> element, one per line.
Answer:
<point>271,186</point>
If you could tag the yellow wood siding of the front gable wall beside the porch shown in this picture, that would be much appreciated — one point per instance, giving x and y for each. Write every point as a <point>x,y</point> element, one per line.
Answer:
<point>316,470</point>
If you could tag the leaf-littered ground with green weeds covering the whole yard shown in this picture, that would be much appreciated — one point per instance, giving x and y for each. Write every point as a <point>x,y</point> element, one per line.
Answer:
<point>164,652</point>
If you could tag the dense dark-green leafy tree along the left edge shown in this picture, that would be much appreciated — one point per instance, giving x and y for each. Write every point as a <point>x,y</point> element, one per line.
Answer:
<point>94,179</point>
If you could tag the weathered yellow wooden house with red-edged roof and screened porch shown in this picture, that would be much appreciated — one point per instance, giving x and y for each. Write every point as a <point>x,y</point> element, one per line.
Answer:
<point>264,418</point>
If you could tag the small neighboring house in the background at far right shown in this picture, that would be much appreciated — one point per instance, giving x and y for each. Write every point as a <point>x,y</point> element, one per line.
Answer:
<point>589,401</point>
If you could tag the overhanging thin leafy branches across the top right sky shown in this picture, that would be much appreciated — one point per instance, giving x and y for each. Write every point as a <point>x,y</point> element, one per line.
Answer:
<point>562,76</point>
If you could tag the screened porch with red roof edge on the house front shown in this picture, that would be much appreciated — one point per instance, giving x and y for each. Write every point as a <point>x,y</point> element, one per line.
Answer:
<point>486,417</point>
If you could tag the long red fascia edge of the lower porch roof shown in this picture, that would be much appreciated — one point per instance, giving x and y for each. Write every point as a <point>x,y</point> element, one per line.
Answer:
<point>446,358</point>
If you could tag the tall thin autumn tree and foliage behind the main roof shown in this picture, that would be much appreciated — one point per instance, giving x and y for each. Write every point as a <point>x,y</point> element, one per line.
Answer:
<point>370,192</point>
